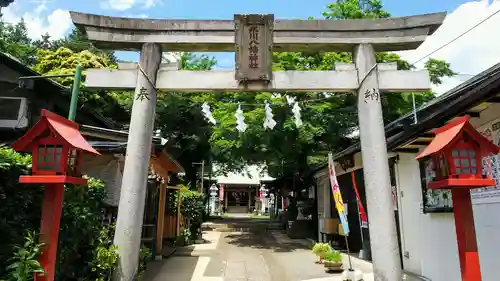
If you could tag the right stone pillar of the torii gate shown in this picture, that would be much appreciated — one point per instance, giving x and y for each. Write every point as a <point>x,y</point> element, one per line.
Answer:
<point>382,226</point>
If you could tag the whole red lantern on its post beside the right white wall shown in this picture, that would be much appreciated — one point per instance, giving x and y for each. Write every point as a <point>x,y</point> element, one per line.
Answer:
<point>456,152</point>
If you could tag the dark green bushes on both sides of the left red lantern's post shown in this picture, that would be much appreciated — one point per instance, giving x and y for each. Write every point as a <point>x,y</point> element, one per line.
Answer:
<point>85,252</point>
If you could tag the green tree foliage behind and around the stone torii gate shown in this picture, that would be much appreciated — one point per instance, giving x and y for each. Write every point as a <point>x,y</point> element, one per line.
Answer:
<point>328,120</point>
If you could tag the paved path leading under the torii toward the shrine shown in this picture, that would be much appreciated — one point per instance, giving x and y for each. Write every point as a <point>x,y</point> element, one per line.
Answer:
<point>255,254</point>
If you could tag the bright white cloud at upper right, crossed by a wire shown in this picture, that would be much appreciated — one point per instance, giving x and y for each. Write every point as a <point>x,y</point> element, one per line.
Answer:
<point>472,53</point>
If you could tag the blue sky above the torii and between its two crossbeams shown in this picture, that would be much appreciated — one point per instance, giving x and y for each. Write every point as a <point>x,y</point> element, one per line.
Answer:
<point>224,9</point>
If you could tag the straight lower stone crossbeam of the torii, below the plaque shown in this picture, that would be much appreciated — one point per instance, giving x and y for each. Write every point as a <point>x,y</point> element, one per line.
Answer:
<point>389,79</point>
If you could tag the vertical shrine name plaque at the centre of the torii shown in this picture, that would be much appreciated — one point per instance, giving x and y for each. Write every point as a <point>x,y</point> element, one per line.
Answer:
<point>253,39</point>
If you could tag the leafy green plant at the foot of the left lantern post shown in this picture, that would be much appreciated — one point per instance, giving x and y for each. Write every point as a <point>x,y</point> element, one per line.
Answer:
<point>24,264</point>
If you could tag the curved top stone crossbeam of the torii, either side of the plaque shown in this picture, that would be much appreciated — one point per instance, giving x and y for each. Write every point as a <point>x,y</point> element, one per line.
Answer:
<point>393,34</point>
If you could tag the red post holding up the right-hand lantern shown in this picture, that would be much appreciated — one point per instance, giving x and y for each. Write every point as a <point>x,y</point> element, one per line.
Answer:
<point>466,235</point>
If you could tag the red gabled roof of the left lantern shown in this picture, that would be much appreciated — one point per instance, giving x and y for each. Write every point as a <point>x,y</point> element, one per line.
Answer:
<point>64,128</point>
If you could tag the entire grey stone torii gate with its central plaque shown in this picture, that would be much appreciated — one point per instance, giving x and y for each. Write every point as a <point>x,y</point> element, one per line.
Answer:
<point>253,38</point>
